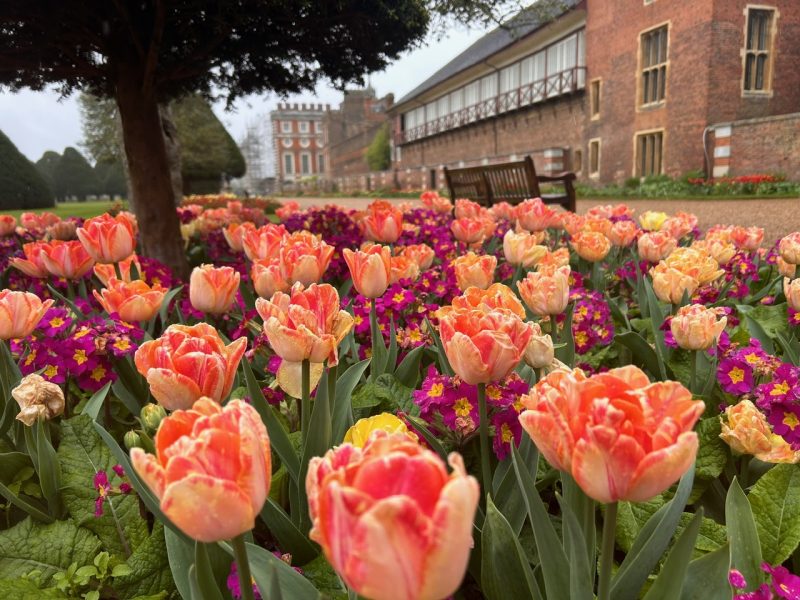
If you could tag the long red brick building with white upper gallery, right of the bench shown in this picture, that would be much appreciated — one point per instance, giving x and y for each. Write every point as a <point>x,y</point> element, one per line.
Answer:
<point>613,89</point>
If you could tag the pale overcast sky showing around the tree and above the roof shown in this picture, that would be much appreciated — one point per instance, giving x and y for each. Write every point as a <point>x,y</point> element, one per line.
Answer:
<point>40,121</point>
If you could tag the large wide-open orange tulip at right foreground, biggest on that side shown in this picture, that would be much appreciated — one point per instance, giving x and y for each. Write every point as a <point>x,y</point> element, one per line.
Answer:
<point>620,436</point>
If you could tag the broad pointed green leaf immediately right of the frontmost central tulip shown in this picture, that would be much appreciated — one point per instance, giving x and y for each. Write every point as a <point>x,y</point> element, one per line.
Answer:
<point>505,572</point>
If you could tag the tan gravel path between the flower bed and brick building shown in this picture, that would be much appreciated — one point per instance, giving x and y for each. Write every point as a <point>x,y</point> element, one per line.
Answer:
<point>777,217</point>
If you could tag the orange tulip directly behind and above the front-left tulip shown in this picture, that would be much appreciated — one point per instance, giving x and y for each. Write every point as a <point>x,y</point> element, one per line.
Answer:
<point>188,362</point>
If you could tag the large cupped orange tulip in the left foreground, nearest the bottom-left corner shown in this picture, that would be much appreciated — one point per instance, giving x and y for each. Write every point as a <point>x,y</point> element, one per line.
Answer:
<point>212,469</point>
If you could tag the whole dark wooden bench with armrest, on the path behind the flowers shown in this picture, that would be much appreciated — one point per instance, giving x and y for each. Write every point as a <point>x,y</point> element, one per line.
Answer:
<point>510,182</point>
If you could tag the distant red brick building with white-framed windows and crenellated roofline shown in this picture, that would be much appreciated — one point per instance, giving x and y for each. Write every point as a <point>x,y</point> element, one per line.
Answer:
<point>298,142</point>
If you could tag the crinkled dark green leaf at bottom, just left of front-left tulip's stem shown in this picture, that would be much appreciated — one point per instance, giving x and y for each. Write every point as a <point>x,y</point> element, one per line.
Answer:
<point>150,568</point>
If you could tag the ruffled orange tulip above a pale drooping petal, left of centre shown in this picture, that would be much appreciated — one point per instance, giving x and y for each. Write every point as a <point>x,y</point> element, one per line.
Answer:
<point>306,324</point>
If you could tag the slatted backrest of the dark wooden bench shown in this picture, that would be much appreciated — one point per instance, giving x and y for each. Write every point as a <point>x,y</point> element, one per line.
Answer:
<point>510,182</point>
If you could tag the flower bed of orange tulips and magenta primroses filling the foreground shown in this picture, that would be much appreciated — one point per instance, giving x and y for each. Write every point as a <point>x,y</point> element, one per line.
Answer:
<point>399,403</point>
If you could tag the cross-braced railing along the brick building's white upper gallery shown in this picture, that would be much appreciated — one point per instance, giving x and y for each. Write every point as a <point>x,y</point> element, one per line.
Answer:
<point>557,84</point>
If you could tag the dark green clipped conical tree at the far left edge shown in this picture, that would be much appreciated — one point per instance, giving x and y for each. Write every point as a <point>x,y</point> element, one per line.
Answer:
<point>21,184</point>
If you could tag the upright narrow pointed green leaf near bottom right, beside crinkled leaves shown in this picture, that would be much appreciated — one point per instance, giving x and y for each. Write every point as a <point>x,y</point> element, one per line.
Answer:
<point>743,536</point>
